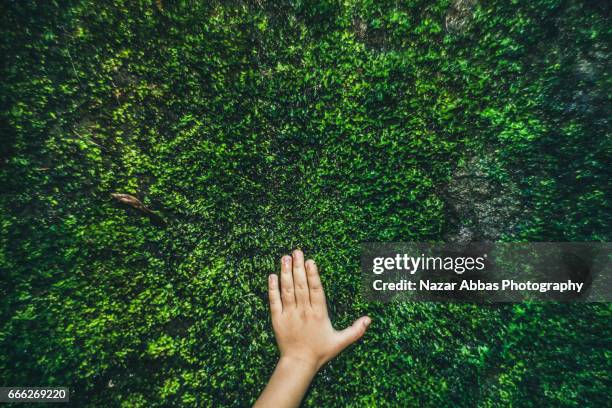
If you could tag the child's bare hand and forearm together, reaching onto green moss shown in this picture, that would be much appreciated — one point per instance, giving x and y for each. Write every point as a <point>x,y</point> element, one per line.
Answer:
<point>304,334</point>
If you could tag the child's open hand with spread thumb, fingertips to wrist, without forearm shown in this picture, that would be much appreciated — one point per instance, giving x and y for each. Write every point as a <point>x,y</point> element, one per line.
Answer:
<point>301,324</point>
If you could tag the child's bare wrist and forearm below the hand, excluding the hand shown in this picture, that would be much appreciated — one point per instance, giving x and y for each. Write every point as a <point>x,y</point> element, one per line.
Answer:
<point>288,384</point>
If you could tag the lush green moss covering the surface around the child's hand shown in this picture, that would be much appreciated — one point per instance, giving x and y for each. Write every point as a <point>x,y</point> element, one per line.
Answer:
<point>256,127</point>
